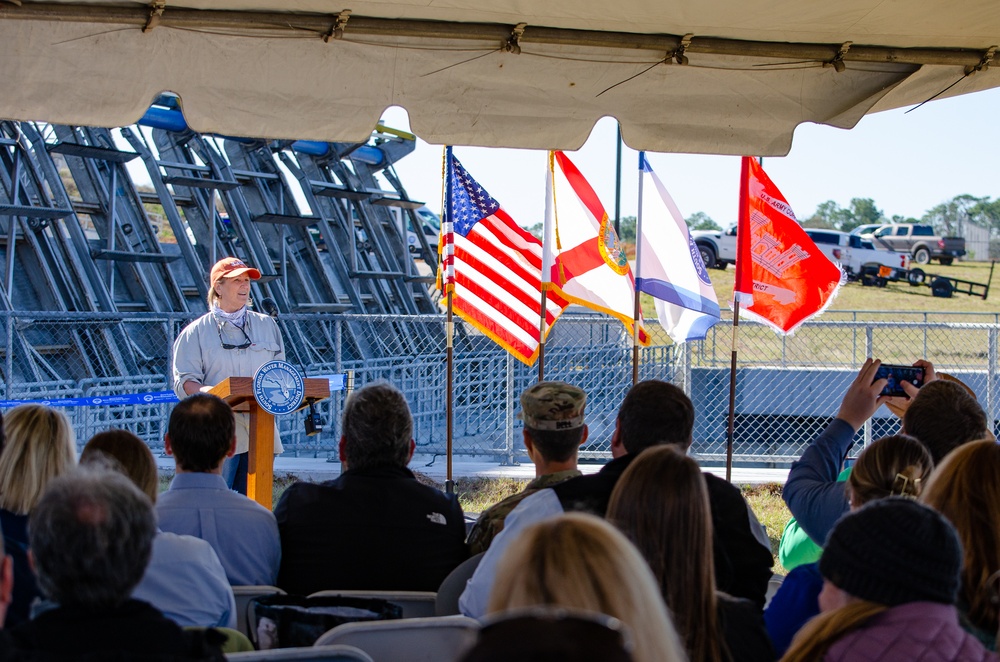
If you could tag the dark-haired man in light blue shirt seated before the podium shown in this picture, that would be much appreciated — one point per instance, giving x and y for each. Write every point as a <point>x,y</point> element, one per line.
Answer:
<point>243,533</point>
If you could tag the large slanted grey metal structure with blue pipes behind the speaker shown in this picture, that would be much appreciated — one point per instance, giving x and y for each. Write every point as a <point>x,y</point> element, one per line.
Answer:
<point>130,220</point>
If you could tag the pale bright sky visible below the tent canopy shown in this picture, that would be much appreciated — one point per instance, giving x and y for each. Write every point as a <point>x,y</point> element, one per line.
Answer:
<point>907,162</point>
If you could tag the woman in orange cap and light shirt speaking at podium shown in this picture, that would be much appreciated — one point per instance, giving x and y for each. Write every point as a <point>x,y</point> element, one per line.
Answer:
<point>228,341</point>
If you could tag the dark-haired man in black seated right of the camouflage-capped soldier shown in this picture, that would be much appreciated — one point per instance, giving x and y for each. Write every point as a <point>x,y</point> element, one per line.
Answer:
<point>653,413</point>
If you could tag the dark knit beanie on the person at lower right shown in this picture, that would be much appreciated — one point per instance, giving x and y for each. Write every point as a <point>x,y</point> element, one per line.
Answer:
<point>893,551</point>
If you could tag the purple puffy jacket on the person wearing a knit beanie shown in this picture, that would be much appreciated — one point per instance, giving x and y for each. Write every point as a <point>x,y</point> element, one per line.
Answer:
<point>913,632</point>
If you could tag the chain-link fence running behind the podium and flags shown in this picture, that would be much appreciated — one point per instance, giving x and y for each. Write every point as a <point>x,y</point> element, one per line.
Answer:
<point>788,388</point>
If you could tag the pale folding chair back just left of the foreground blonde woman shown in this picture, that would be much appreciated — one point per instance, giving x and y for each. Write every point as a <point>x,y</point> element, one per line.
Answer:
<point>438,639</point>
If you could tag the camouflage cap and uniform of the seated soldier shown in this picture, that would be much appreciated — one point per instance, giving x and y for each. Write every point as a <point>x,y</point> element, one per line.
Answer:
<point>544,406</point>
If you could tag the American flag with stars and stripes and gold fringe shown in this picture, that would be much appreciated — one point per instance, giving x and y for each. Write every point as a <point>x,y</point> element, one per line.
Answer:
<point>493,267</point>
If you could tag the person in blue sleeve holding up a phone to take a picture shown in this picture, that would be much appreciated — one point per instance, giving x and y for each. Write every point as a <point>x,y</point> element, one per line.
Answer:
<point>941,415</point>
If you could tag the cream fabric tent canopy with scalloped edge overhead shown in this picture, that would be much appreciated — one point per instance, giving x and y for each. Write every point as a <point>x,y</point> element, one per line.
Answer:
<point>500,73</point>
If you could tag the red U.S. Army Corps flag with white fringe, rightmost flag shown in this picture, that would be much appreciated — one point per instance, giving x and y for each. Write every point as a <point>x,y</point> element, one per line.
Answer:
<point>782,279</point>
